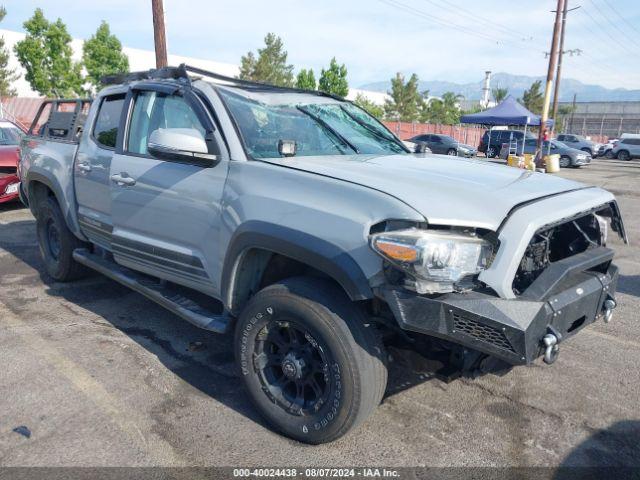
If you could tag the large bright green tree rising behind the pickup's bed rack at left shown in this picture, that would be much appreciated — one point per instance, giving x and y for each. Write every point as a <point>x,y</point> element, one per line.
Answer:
<point>45,54</point>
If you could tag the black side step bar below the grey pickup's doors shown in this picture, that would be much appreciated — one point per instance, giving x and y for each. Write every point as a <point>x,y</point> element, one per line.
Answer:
<point>182,306</point>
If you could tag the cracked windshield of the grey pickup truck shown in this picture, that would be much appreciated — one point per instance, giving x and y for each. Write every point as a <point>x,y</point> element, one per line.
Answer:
<point>318,125</point>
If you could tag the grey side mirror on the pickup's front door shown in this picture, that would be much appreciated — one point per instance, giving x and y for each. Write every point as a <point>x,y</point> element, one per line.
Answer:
<point>182,145</point>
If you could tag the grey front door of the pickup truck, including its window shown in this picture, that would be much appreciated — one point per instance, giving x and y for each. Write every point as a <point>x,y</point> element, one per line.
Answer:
<point>166,214</point>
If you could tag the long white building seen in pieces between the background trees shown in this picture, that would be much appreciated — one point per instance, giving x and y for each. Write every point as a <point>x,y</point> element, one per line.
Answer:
<point>144,60</point>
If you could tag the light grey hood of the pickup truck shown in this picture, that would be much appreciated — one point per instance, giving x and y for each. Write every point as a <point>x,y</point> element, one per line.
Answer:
<point>445,190</point>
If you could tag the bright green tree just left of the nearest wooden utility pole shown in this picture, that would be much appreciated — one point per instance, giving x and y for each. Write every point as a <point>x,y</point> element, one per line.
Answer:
<point>102,55</point>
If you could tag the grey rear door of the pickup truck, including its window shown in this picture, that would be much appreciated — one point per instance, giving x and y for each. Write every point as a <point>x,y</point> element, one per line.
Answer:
<point>91,170</point>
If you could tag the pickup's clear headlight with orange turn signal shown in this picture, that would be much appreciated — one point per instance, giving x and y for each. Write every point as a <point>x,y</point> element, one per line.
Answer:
<point>436,259</point>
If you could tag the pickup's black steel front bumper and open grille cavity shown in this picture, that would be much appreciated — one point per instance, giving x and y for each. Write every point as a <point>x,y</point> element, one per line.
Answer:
<point>564,281</point>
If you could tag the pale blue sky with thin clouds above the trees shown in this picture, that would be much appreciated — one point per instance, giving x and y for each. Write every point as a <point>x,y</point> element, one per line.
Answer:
<point>455,40</point>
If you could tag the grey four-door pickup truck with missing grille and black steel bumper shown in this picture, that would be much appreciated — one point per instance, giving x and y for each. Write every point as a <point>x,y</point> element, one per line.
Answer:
<point>302,222</point>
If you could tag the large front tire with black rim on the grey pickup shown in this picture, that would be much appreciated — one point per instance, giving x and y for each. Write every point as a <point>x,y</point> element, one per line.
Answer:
<point>312,364</point>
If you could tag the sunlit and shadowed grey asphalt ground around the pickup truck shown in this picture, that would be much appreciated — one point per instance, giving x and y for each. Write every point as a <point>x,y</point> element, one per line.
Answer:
<point>101,376</point>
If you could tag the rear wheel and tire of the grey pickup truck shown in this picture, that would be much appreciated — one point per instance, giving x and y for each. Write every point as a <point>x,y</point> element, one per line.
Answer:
<point>57,243</point>
